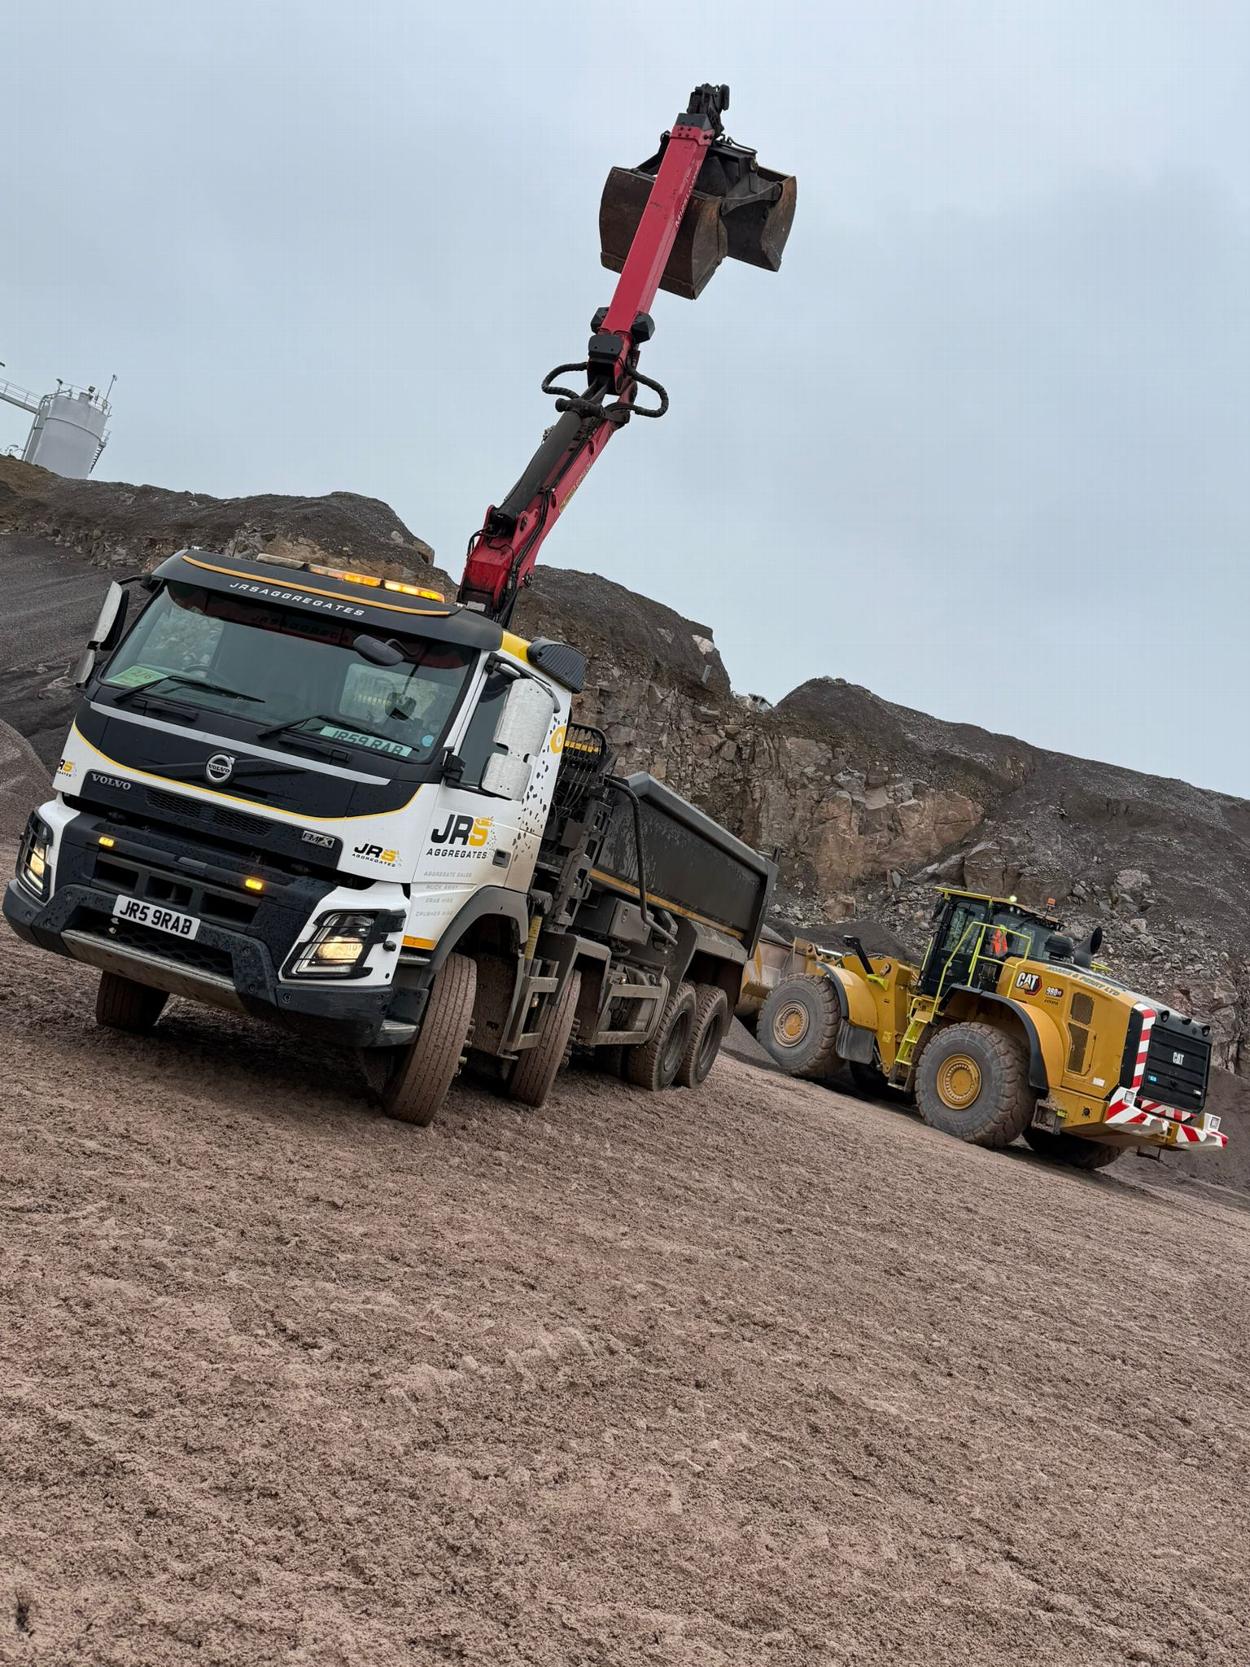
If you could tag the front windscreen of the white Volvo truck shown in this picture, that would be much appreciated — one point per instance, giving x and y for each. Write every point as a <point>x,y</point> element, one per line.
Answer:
<point>284,671</point>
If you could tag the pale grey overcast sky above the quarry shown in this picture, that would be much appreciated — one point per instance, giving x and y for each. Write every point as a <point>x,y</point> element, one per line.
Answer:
<point>982,444</point>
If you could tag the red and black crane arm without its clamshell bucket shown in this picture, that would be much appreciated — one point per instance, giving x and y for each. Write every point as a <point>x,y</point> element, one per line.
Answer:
<point>504,553</point>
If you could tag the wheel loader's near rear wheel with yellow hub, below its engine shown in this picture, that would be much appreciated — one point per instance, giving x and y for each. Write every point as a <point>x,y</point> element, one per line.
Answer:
<point>972,1083</point>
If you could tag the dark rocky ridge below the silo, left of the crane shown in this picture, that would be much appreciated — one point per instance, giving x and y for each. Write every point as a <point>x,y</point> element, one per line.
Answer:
<point>124,526</point>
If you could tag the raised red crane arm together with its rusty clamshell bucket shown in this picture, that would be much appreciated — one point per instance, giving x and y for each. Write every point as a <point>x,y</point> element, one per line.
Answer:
<point>701,199</point>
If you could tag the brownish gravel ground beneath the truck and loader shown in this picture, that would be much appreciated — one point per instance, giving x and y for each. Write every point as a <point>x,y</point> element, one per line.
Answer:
<point>749,1376</point>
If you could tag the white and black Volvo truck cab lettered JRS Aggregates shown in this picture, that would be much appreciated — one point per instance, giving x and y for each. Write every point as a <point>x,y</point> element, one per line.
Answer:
<point>282,786</point>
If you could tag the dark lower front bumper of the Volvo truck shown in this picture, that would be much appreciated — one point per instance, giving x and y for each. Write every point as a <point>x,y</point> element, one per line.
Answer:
<point>221,968</point>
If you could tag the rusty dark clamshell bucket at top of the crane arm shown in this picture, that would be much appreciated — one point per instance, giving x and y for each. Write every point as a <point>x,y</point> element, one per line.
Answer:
<point>737,211</point>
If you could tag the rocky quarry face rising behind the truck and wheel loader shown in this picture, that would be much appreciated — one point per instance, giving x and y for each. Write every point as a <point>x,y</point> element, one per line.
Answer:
<point>871,804</point>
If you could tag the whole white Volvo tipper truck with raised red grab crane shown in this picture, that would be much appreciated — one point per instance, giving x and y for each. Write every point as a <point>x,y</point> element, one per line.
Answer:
<point>349,806</point>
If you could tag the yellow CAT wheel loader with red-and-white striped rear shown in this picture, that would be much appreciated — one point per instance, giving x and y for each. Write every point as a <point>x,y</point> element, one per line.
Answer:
<point>1006,1029</point>
